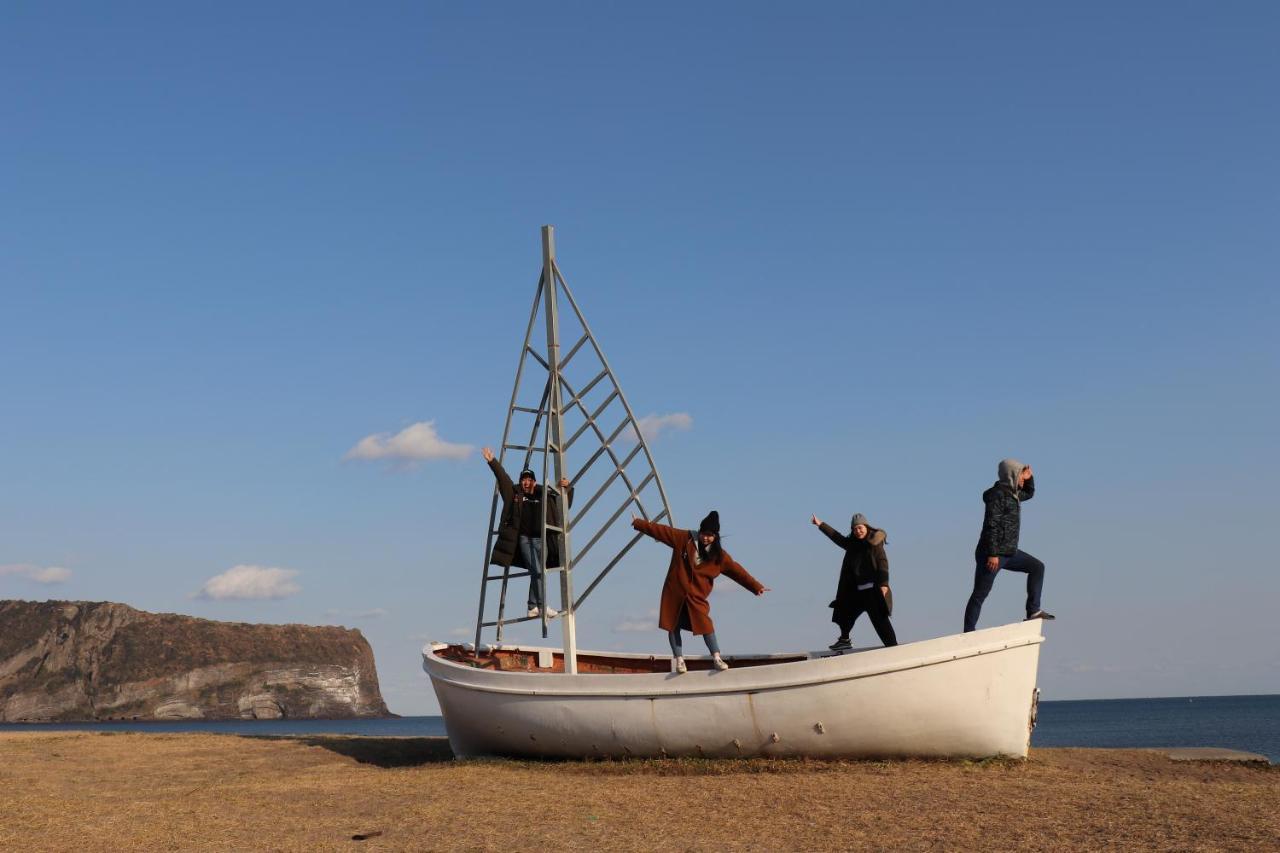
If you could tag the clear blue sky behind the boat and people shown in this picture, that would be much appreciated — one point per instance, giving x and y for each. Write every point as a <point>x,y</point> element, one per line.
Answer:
<point>867,249</point>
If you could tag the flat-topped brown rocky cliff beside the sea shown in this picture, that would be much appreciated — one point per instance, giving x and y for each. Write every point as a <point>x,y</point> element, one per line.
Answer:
<point>63,662</point>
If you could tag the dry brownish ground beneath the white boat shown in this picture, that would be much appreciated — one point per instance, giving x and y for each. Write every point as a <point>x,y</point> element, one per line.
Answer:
<point>100,792</point>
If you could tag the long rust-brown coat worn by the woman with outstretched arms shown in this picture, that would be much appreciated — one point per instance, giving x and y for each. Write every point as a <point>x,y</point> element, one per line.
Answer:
<point>689,583</point>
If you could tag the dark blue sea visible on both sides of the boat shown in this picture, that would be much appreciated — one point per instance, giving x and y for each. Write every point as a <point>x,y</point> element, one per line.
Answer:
<point>1247,723</point>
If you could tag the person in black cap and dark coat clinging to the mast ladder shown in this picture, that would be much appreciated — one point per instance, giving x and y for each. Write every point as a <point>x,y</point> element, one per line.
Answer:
<point>520,531</point>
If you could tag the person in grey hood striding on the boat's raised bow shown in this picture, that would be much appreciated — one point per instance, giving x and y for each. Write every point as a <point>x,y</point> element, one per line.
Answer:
<point>998,545</point>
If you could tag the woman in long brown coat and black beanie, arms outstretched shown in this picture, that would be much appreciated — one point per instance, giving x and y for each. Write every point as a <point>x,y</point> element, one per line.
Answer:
<point>697,560</point>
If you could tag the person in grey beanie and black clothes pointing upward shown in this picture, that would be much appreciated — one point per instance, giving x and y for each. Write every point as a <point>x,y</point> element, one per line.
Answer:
<point>863,581</point>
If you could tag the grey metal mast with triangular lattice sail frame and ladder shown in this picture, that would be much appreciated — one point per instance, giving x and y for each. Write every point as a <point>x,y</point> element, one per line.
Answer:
<point>550,428</point>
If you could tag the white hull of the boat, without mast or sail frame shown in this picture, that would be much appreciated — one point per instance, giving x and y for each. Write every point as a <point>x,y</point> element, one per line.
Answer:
<point>963,696</point>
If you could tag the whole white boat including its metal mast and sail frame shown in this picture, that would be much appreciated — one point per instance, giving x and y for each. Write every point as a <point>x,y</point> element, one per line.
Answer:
<point>962,696</point>
